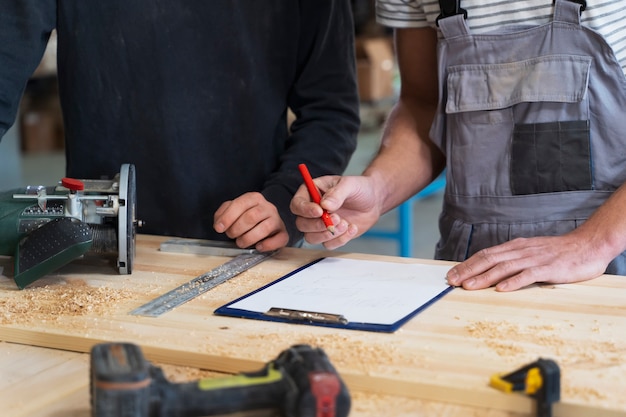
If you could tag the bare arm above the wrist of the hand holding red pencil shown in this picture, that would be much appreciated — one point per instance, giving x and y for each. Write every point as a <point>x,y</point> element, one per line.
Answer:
<point>408,160</point>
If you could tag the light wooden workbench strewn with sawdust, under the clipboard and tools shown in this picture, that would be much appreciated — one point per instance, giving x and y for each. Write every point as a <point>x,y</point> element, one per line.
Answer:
<point>439,363</point>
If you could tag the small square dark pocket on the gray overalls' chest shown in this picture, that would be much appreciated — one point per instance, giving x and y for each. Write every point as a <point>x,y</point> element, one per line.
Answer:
<point>551,157</point>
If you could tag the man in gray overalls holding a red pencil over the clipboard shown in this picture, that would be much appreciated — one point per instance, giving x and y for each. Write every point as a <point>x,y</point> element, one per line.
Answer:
<point>529,122</point>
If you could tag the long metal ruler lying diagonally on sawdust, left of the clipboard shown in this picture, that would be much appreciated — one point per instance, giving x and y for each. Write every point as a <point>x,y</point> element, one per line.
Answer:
<point>200,284</point>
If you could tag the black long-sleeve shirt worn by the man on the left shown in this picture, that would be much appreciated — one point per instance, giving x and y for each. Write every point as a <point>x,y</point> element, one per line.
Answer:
<point>195,94</point>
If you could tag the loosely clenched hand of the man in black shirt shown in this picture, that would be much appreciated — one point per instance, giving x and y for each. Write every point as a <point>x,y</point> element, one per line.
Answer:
<point>252,221</point>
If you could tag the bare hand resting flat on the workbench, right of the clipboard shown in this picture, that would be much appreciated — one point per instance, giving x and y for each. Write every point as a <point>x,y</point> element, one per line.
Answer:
<point>524,261</point>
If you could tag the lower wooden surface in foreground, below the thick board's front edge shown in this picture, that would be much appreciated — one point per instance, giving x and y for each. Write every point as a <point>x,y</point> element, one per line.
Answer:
<point>37,391</point>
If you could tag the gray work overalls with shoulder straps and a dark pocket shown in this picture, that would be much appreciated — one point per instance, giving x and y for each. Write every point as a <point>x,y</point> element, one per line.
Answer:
<point>533,124</point>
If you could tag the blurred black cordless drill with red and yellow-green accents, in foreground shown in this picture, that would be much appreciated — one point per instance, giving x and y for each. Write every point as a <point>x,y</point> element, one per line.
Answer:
<point>300,382</point>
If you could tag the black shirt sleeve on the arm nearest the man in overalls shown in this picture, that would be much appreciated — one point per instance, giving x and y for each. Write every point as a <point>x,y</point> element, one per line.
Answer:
<point>324,98</point>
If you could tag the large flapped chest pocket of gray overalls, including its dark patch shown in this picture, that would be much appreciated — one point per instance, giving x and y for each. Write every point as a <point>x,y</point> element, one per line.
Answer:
<point>520,127</point>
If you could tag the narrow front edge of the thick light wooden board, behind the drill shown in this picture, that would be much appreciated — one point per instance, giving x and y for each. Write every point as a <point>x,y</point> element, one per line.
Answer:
<point>470,396</point>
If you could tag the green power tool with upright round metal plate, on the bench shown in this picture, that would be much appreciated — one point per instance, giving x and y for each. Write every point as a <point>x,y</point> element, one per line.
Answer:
<point>46,227</point>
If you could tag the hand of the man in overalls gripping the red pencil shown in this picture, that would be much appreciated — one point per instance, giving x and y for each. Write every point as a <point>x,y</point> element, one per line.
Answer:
<point>349,200</point>
